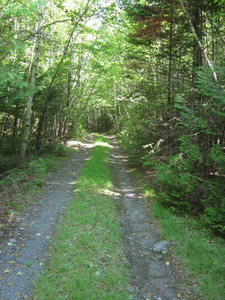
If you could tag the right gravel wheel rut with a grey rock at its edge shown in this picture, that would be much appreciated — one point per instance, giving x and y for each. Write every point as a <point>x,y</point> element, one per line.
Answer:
<point>151,274</point>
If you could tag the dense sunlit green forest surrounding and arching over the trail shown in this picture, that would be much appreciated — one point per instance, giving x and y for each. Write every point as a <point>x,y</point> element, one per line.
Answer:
<point>151,72</point>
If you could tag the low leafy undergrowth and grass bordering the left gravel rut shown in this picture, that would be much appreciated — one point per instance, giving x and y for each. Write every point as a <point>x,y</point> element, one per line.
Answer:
<point>19,186</point>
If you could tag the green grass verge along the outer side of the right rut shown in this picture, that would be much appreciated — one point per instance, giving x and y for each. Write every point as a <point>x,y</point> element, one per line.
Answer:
<point>198,251</point>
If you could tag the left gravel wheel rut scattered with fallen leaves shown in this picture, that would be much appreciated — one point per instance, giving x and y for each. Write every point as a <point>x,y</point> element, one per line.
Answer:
<point>25,253</point>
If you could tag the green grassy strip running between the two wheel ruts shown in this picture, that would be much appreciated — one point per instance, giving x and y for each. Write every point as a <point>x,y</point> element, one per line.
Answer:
<point>85,258</point>
